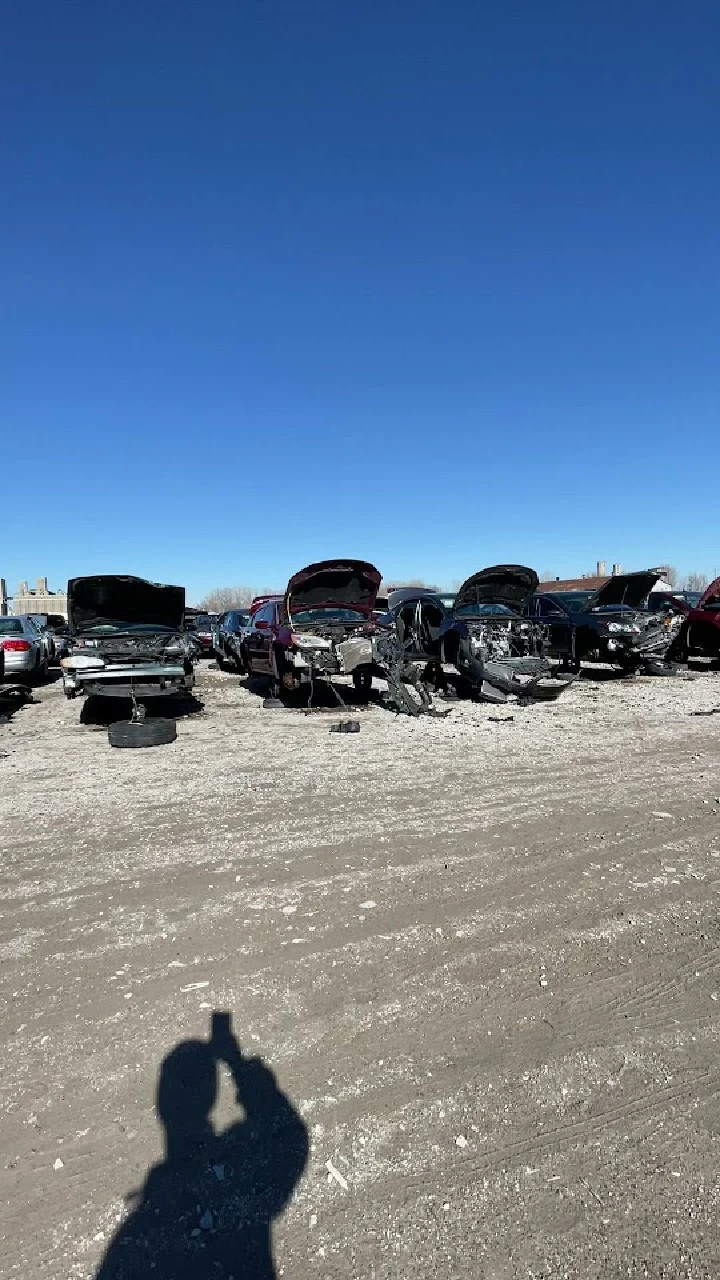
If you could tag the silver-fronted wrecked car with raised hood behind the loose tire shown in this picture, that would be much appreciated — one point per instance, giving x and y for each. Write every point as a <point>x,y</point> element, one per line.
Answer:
<point>126,639</point>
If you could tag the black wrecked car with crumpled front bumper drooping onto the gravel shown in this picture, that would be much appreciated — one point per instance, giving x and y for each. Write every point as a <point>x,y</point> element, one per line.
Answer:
<point>484,638</point>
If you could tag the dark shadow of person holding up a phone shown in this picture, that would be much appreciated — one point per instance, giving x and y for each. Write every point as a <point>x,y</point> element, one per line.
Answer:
<point>207,1210</point>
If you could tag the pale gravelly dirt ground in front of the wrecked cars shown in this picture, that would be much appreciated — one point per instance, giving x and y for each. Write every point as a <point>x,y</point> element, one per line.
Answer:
<point>481,954</point>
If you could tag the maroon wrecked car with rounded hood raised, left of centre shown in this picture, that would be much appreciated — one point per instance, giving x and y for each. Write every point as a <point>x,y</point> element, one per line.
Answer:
<point>321,628</point>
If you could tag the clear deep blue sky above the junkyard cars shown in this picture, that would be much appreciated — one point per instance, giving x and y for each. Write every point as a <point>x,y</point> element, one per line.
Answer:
<point>430,282</point>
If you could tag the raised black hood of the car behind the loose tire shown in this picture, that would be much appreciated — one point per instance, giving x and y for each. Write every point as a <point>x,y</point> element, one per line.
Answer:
<point>116,598</point>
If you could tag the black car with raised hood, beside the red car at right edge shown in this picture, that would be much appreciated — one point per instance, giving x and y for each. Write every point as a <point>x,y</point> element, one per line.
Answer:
<point>612,625</point>
